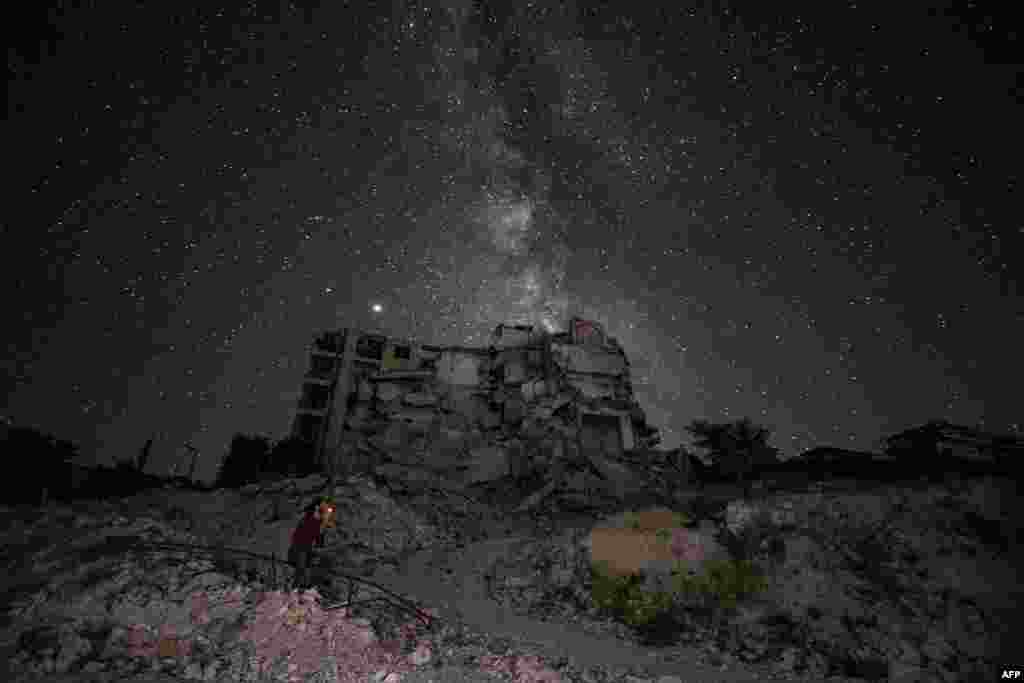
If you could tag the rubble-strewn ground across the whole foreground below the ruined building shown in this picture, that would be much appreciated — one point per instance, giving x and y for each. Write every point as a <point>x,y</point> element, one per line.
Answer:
<point>911,582</point>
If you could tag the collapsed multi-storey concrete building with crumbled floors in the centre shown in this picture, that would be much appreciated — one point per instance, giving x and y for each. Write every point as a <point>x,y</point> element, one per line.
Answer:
<point>453,416</point>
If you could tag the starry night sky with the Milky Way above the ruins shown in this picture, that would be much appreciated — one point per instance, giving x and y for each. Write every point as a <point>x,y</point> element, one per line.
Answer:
<point>806,218</point>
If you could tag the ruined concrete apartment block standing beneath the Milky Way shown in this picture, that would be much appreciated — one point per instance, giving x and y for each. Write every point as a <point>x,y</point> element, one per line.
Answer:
<point>562,389</point>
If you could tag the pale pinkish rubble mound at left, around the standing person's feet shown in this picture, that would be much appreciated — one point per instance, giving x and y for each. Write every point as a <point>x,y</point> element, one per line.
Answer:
<point>116,597</point>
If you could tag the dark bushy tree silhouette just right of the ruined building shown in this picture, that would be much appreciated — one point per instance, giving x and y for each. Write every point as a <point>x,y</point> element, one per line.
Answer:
<point>735,447</point>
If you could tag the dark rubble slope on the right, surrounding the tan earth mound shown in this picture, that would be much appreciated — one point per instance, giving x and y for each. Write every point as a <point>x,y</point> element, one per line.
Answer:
<point>905,584</point>
